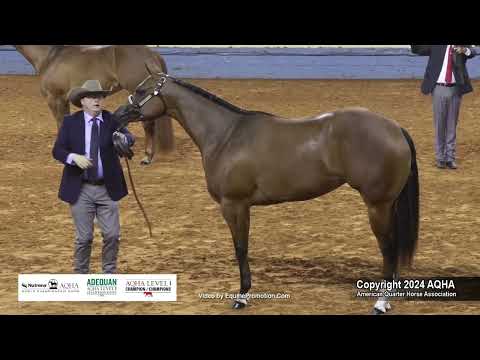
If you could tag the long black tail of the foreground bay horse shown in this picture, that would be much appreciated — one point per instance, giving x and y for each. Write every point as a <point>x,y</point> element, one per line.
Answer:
<point>406,212</point>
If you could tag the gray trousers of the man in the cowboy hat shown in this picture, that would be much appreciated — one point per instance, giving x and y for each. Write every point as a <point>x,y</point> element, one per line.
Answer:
<point>95,201</point>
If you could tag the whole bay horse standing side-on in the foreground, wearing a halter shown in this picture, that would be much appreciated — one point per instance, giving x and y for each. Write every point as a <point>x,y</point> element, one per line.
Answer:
<point>254,158</point>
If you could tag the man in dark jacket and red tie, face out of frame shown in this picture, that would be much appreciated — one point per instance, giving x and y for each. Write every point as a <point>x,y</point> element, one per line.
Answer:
<point>446,78</point>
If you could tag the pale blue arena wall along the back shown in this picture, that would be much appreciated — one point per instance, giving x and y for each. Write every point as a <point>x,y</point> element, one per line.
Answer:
<point>276,62</point>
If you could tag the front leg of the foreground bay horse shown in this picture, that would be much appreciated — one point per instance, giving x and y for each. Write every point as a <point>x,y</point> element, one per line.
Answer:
<point>237,216</point>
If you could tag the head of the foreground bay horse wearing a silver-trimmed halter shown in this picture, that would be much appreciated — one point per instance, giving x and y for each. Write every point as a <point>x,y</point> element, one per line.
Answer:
<point>146,103</point>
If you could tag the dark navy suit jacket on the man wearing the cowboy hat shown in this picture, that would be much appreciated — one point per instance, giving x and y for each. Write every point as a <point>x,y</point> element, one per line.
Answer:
<point>71,139</point>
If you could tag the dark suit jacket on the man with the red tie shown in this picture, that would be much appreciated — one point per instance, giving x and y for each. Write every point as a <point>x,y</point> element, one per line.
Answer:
<point>435,63</point>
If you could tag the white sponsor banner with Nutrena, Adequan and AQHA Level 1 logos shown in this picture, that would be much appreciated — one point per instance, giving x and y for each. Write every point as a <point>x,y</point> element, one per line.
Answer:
<point>97,287</point>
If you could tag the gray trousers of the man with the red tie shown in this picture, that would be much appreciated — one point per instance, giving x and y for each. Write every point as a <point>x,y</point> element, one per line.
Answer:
<point>446,109</point>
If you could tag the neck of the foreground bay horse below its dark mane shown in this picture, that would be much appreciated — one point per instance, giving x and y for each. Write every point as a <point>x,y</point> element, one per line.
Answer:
<point>208,123</point>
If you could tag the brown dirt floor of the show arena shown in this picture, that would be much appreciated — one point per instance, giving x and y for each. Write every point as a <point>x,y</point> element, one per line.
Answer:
<point>312,251</point>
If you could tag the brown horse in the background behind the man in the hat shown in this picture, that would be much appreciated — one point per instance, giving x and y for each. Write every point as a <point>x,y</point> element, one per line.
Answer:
<point>117,67</point>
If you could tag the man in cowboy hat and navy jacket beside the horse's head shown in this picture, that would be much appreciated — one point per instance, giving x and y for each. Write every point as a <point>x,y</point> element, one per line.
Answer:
<point>92,181</point>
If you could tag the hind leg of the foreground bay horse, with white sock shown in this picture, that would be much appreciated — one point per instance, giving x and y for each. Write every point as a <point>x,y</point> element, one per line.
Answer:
<point>381,222</point>
